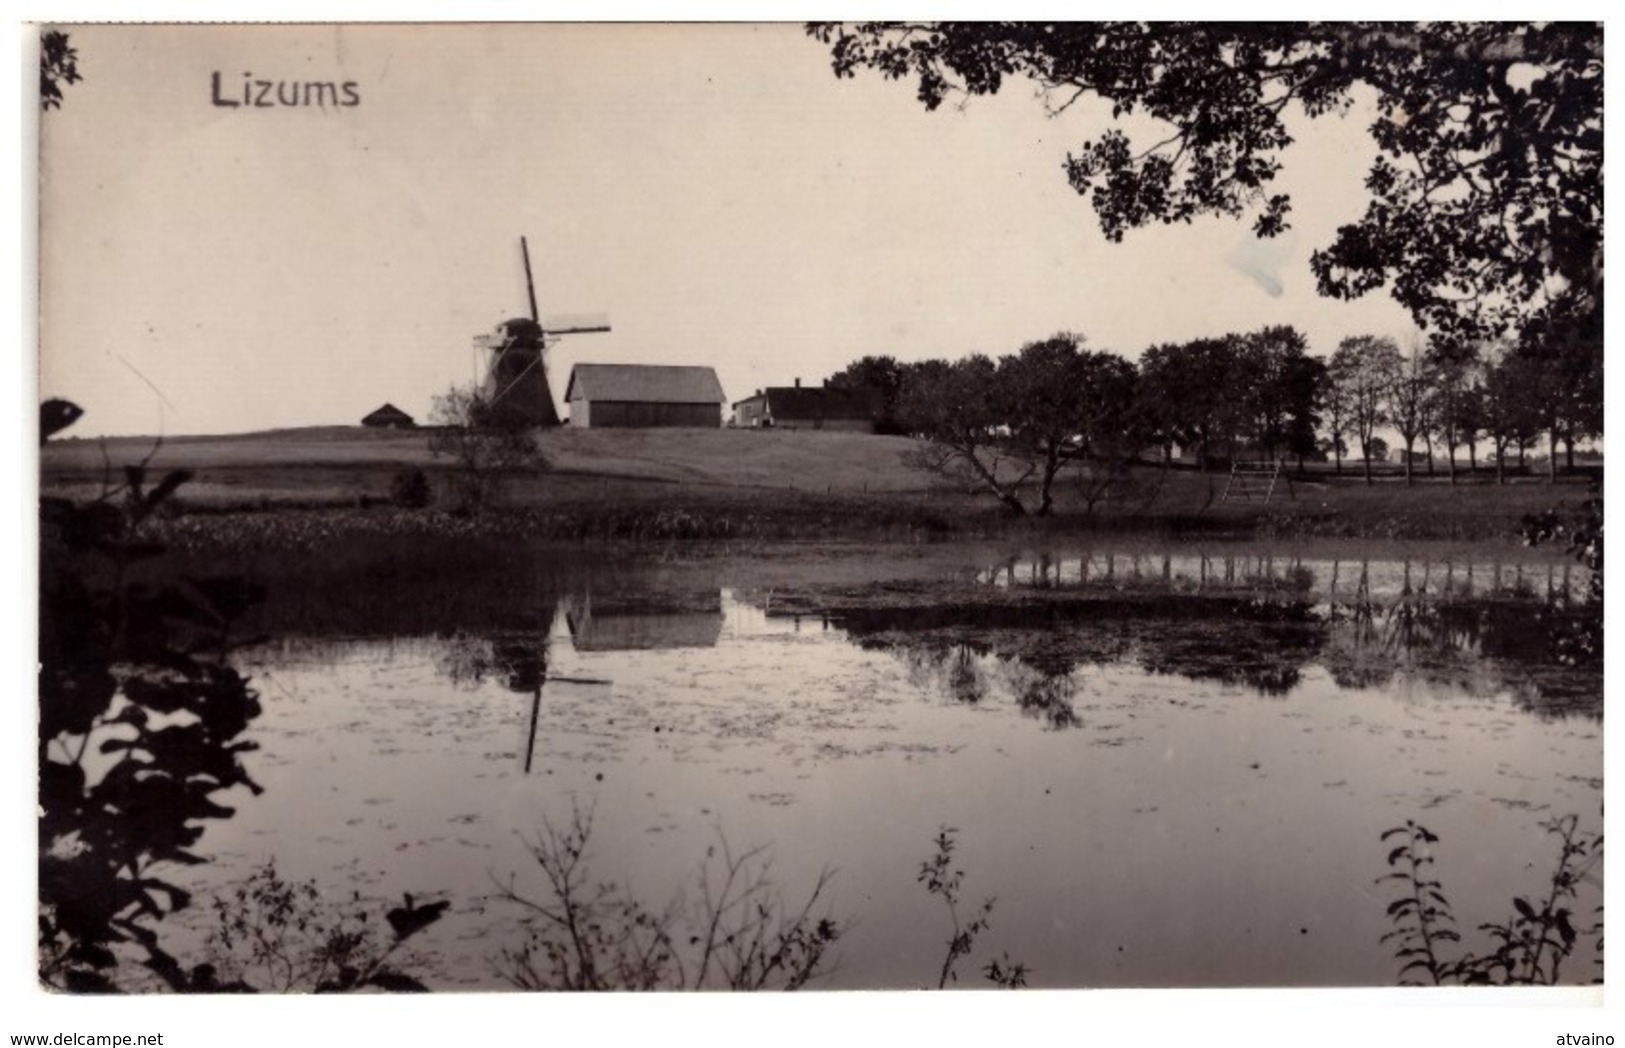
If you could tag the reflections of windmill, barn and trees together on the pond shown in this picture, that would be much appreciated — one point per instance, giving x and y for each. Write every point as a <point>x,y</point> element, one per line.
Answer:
<point>1033,654</point>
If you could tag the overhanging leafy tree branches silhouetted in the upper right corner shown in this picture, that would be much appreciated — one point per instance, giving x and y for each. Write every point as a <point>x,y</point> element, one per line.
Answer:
<point>1486,196</point>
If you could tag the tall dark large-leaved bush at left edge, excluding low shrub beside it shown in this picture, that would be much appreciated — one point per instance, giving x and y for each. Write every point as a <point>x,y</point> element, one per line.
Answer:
<point>141,724</point>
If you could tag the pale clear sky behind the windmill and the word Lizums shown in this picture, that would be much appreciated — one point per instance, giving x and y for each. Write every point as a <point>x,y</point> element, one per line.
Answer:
<point>713,188</point>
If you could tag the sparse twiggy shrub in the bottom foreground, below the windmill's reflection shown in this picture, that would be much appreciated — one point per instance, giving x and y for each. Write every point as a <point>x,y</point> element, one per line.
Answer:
<point>740,935</point>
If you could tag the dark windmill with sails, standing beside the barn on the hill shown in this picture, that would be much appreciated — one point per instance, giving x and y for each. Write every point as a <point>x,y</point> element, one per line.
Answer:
<point>516,386</point>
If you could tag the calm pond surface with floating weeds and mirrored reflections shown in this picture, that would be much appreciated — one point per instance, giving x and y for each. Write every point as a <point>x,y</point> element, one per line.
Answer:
<point>1166,769</point>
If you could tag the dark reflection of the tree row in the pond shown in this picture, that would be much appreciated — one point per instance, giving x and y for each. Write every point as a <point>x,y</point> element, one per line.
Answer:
<point>1476,647</point>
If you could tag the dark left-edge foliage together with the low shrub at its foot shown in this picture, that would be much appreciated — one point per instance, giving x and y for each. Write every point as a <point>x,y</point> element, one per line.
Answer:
<point>141,730</point>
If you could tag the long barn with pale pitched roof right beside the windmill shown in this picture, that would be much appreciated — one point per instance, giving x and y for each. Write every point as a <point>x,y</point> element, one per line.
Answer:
<point>644,397</point>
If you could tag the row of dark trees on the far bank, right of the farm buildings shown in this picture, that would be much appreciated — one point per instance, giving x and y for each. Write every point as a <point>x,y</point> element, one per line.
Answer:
<point>1018,422</point>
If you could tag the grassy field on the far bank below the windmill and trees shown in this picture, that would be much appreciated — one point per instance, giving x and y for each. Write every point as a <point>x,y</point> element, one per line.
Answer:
<point>799,483</point>
